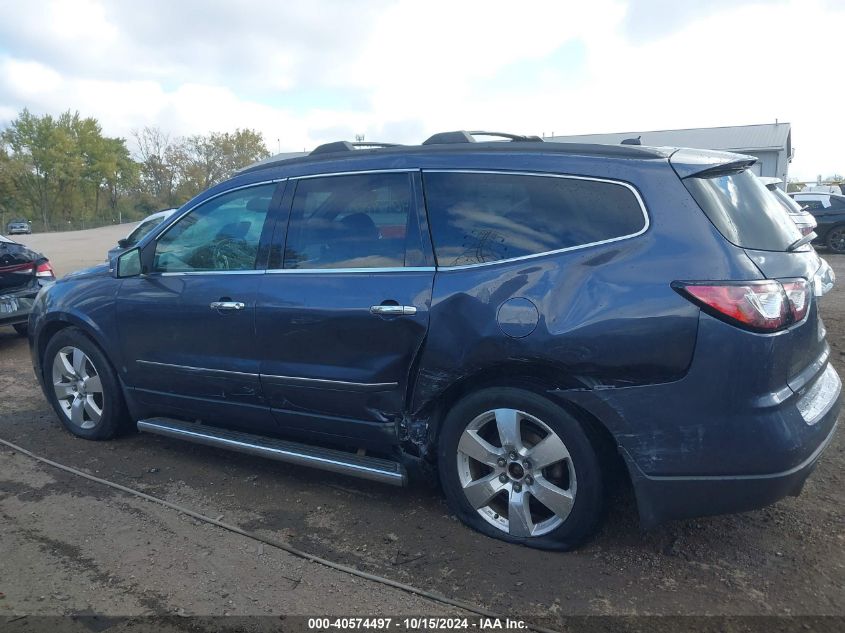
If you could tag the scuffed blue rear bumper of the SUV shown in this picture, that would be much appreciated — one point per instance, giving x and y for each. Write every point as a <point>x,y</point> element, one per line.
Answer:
<point>742,430</point>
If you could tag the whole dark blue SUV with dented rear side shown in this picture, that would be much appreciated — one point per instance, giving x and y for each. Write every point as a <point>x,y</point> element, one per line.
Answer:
<point>522,316</point>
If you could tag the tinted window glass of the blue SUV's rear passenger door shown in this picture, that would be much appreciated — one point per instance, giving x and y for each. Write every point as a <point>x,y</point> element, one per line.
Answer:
<point>358,221</point>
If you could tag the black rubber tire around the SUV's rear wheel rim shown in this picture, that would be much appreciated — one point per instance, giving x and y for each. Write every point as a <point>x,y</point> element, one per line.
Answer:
<point>586,509</point>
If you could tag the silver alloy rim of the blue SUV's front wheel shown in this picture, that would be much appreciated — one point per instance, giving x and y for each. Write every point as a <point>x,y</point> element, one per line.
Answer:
<point>78,387</point>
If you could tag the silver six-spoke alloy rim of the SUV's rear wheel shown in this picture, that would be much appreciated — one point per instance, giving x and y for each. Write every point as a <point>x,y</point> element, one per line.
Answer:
<point>516,472</point>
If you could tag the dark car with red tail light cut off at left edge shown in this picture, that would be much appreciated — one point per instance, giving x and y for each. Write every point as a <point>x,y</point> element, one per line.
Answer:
<point>23,273</point>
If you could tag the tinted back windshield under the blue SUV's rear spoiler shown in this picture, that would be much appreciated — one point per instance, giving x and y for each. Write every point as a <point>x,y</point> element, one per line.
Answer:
<point>744,211</point>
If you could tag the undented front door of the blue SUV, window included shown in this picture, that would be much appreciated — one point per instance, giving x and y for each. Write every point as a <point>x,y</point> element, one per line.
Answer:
<point>187,328</point>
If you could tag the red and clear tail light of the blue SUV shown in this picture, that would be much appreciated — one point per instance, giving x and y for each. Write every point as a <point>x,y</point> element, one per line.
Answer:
<point>759,306</point>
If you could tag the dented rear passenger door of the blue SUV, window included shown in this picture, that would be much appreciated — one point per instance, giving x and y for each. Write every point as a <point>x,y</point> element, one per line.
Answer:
<point>344,307</point>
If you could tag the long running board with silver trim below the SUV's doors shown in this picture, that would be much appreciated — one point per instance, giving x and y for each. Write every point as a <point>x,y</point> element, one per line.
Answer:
<point>372,468</point>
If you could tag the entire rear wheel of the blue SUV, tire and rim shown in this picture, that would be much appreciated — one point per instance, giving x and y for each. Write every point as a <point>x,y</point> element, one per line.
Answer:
<point>517,467</point>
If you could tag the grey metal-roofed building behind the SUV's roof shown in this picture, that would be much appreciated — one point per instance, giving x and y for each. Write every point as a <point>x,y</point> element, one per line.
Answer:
<point>771,143</point>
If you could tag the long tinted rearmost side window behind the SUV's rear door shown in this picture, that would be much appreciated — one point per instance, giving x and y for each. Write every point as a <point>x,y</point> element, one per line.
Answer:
<point>477,218</point>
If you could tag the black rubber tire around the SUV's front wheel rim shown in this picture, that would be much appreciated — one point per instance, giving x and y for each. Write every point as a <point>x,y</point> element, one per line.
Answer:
<point>113,418</point>
